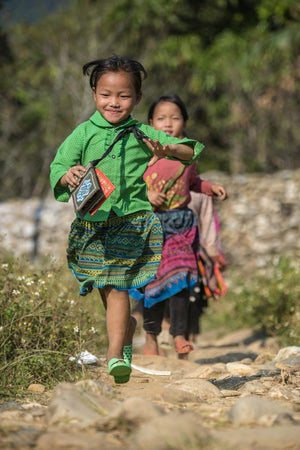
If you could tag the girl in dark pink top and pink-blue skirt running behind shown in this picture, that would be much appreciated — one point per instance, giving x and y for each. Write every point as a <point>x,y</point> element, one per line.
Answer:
<point>169,184</point>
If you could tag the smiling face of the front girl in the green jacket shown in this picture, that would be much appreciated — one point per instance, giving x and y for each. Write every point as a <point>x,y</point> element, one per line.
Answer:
<point>116,97</point>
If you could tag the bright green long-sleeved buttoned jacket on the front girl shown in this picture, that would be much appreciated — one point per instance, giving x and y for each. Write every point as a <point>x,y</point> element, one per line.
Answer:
<point>124,166</point>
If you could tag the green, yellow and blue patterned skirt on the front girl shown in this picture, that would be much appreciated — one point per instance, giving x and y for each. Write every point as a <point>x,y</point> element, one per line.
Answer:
<point>122,252</point>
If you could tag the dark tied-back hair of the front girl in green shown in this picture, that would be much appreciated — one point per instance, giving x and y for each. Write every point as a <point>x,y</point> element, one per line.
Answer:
<point>115,64</point>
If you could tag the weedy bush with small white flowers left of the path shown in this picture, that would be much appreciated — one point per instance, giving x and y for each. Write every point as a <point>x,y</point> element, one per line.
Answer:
<point>43,323</point>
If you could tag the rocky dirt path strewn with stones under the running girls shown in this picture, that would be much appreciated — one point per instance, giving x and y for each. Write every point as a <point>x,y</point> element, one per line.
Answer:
<point>238,392</point>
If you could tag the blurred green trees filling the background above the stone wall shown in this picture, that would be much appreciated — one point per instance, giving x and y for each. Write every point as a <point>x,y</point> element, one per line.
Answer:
<point>234,62</point>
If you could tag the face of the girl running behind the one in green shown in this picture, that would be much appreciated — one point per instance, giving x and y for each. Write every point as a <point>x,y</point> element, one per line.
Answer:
<point>168,118</point>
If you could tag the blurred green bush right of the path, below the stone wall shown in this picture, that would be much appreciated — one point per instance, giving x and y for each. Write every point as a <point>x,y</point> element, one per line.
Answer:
<point>269,303</point>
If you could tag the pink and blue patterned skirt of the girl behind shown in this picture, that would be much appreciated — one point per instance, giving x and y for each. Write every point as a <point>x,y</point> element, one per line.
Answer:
<point>178,269</point>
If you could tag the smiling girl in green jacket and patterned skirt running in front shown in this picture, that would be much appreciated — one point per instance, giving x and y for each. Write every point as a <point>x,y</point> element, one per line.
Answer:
<point>118,247</point>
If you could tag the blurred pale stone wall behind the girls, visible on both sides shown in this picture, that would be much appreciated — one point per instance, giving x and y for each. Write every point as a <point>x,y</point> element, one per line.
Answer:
<point>260,220</point>
